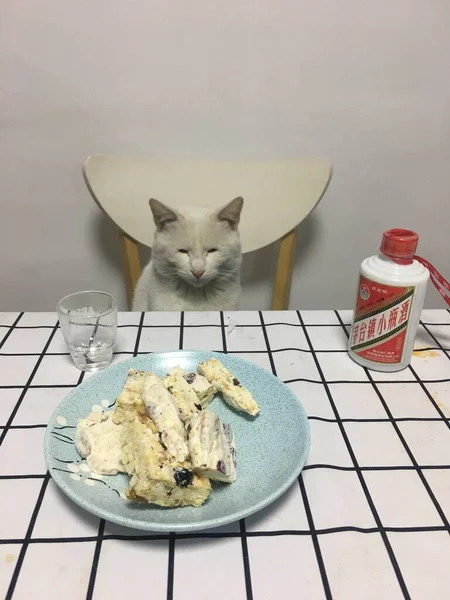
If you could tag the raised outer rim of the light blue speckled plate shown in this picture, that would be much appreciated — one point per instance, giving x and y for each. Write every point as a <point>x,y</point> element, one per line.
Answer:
<point>132,523</point>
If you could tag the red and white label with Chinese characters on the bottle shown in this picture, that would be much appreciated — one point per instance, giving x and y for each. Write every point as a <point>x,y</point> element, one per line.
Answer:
<point>381,321</point>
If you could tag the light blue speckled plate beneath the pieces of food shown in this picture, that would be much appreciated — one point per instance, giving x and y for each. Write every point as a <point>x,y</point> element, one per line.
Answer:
<point>271,448</point>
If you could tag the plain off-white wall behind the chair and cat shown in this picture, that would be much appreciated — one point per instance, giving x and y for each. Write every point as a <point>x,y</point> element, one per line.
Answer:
<point>363,83</point>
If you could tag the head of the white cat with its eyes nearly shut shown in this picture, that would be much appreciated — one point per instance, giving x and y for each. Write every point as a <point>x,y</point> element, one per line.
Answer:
<point>197,245</point>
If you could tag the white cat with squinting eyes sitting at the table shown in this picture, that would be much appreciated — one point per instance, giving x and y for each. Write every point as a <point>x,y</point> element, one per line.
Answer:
<point>196,260</point>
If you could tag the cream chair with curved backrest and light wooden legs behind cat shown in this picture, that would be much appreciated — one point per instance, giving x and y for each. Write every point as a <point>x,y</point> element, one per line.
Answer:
<point>278,195</point>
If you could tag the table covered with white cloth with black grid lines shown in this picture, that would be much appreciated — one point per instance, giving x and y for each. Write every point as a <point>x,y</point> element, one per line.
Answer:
<point>368,517</point>
